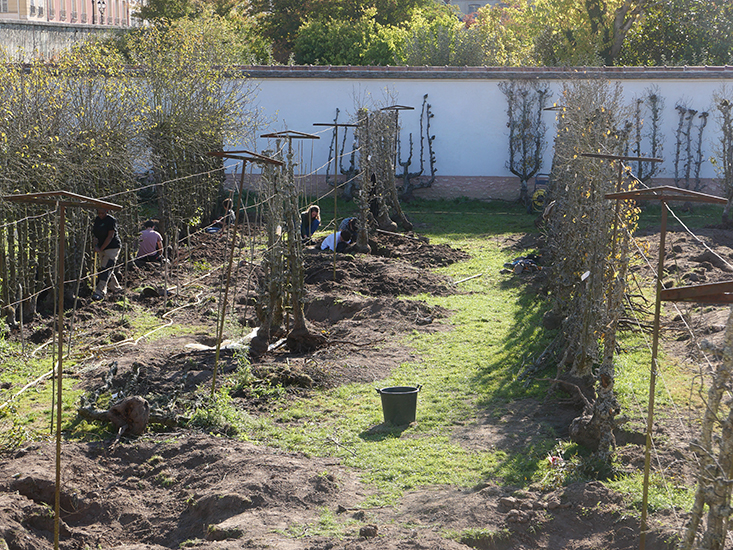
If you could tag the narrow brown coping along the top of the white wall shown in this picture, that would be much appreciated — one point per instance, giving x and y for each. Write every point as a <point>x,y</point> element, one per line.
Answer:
<point>487,73</point>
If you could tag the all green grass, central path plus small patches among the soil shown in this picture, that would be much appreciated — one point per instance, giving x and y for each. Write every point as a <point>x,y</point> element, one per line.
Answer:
<point>465,372</point>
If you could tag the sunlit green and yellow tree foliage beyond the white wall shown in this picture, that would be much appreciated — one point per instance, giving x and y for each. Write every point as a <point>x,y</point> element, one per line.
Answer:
<point>426,32</point>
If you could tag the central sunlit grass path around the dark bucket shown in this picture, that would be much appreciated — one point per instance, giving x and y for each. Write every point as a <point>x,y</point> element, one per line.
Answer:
<point>471,367</point>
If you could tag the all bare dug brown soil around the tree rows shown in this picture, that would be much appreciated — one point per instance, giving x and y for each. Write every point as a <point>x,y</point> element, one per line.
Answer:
<point>174,487</point>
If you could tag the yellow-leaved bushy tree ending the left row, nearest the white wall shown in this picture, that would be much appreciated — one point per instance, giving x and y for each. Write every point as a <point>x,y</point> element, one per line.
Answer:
<point>192,110</point>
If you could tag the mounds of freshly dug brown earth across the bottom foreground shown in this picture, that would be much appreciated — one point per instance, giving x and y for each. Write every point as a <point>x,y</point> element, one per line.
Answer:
<point>190,490</point>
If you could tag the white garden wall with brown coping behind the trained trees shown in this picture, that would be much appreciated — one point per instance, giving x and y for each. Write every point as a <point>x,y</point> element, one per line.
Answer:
<point>469,122</point>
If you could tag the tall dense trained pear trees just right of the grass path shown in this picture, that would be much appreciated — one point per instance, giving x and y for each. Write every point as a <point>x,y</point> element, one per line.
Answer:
<point>588,264</point>
